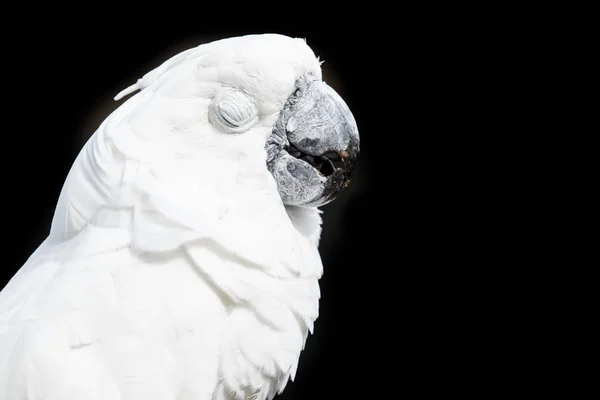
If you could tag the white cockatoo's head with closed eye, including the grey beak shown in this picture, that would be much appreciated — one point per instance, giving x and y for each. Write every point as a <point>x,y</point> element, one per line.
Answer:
<point>259,101</point>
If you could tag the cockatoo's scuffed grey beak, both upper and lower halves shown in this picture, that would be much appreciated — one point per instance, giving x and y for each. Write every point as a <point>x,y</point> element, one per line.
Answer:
<point>315,145</point>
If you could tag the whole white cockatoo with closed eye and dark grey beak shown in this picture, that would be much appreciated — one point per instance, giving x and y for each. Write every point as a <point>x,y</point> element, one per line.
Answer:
<point>182,260</point>
